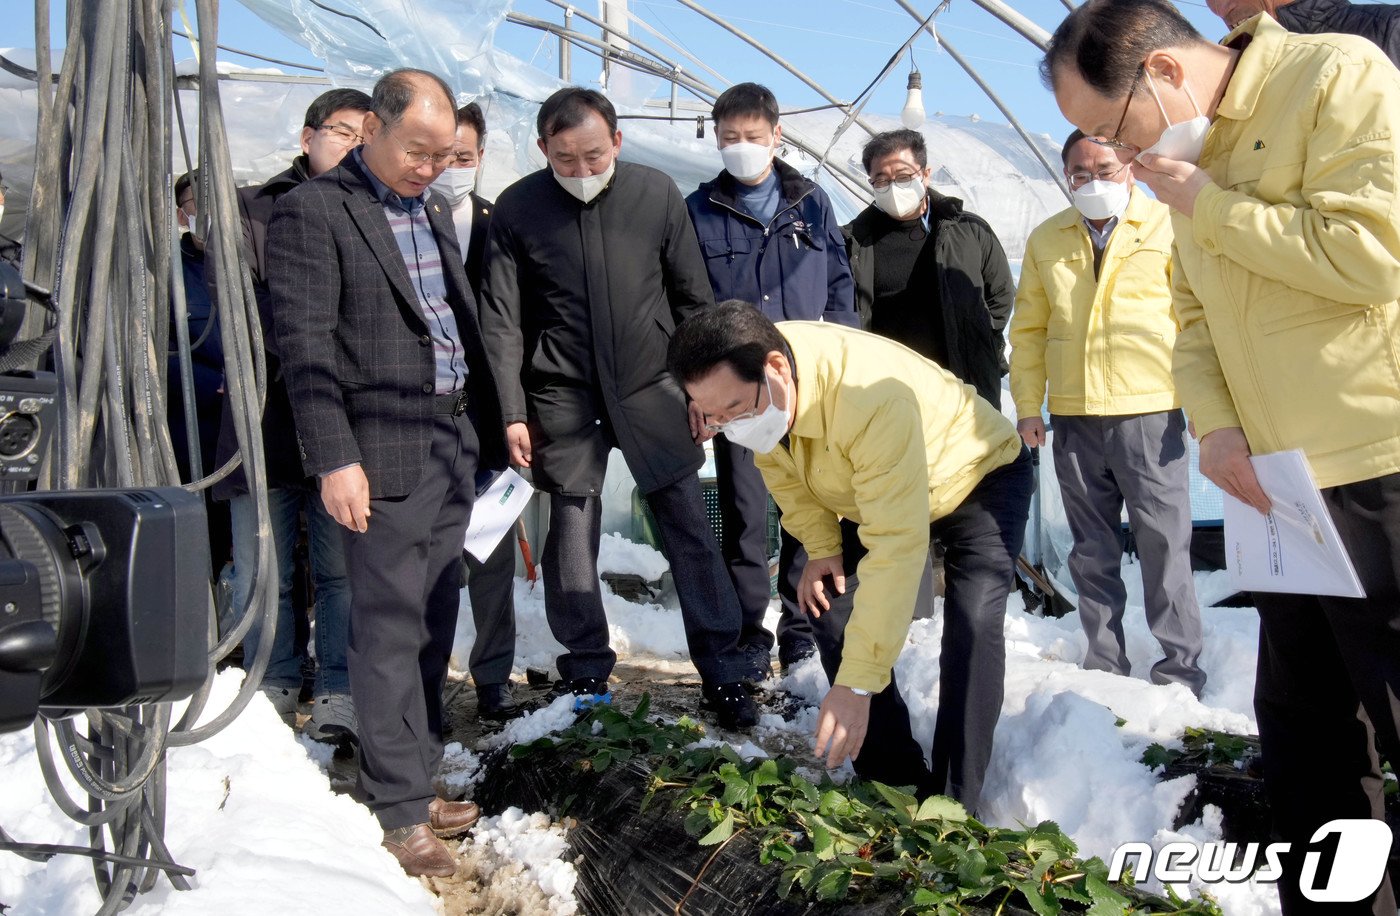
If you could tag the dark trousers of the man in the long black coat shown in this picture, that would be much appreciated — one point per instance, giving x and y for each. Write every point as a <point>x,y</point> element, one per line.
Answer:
<point>573,596</point>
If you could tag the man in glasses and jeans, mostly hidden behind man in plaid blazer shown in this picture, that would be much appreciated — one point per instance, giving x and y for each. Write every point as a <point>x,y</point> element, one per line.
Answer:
<point>330,131</point>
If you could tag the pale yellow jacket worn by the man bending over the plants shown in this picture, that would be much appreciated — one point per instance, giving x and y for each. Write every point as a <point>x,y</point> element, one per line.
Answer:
<point>892,442</point>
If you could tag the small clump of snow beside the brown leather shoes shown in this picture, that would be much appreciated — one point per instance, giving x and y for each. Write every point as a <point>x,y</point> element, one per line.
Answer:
<point>523,856</point>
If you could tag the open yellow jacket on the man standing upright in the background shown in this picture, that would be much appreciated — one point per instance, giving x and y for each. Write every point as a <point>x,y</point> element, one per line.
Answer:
<point>1104,347</point>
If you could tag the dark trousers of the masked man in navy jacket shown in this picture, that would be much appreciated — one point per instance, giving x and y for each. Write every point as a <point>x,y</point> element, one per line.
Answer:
<point>744,509</point>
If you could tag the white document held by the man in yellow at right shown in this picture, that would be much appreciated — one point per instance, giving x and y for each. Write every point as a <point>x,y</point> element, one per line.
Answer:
<point>1294,548</point>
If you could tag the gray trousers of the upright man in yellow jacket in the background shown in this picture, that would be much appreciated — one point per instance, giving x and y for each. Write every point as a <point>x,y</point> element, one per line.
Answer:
<point>1104,463</point>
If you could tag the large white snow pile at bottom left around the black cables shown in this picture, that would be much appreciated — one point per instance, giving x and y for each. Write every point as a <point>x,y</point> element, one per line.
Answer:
<point>247,809</point>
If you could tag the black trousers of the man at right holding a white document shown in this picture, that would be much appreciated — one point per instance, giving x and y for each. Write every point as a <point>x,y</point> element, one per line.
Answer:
<point>1328,686</point>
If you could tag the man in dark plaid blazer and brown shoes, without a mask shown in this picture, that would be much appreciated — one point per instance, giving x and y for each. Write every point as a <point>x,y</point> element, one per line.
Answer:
<point>395,411</point>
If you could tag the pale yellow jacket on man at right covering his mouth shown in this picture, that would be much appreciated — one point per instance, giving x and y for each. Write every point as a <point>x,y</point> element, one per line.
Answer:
<point>1289,272</point>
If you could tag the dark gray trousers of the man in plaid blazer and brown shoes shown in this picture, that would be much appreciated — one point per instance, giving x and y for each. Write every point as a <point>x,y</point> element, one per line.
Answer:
<point>405,589</point>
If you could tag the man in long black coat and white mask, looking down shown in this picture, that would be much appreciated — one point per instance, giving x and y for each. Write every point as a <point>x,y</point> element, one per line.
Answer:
<point>591,264</point>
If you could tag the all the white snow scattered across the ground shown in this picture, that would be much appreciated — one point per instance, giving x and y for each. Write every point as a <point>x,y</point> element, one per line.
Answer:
<point>253,812</point>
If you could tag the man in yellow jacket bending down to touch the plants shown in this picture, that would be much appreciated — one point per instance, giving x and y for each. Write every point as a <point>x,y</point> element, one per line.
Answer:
<point>850,426</point>
